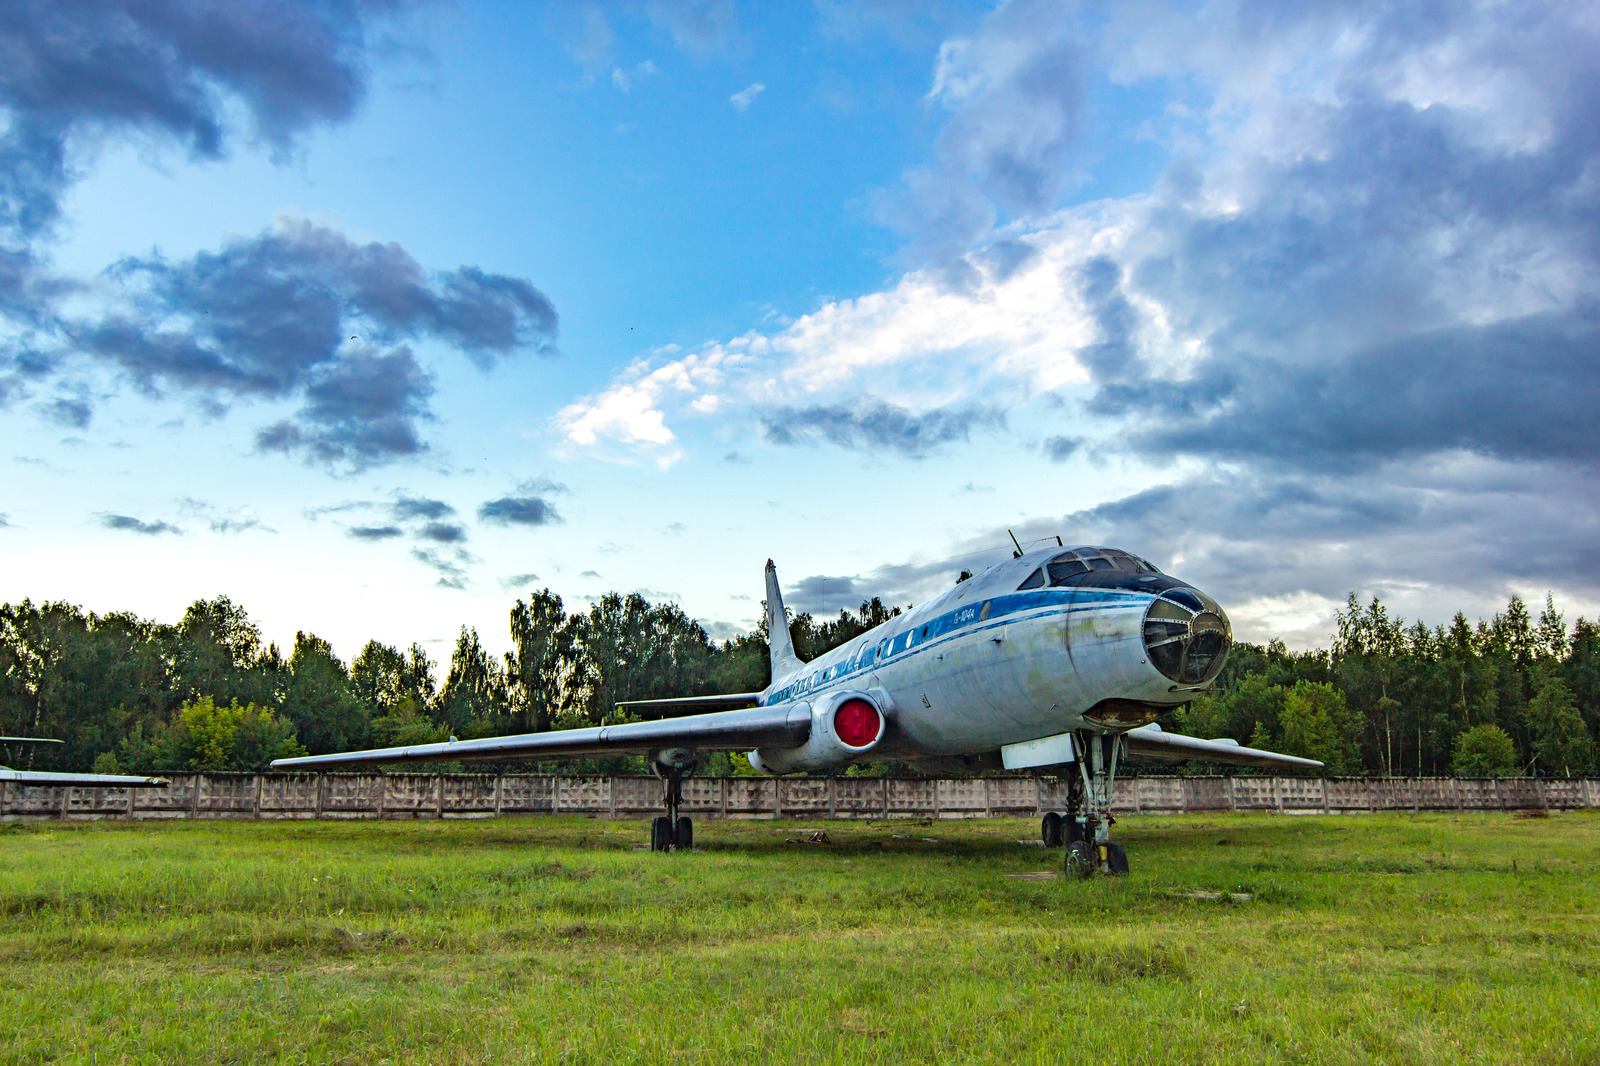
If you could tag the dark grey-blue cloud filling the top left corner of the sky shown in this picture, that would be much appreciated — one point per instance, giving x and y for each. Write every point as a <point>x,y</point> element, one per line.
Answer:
<point>169,68</point>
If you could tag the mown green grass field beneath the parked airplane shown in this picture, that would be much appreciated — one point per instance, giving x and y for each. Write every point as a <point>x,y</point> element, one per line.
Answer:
<point>1388,939</point>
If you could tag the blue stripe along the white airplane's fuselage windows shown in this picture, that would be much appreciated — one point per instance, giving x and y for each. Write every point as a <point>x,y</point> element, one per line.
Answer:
<point>959,622</point>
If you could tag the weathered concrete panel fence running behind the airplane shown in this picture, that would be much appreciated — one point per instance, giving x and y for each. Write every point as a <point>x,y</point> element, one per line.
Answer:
<point>374,796</point>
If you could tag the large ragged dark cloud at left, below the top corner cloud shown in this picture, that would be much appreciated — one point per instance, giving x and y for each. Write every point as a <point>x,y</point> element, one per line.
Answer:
<point>289,315</point>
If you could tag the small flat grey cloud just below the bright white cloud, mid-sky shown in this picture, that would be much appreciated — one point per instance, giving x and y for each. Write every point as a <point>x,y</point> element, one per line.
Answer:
<point>870,425</point>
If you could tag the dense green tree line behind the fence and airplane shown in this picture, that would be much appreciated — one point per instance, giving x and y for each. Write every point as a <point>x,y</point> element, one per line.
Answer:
<point>1508,695</point>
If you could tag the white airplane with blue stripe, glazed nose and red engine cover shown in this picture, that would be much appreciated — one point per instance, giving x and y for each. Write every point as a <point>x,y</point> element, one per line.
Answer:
<point>1057,659</point>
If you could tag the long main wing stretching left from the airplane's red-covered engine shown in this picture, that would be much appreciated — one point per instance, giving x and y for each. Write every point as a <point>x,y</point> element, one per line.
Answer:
<point>786,724</point>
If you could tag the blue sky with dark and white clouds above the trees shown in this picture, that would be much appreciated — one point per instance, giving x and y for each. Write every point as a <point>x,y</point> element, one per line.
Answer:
<point>375,316</point>
